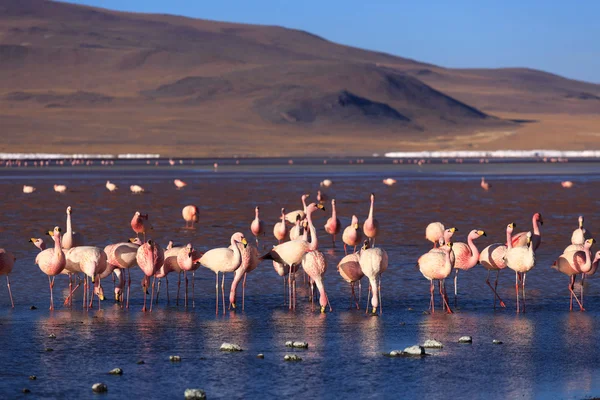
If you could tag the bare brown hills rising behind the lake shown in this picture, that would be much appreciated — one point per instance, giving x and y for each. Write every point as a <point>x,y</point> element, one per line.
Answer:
<point>76,78</point>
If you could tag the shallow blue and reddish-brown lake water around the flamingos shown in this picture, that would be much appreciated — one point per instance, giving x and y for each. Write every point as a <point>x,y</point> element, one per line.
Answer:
<point>547,352</point>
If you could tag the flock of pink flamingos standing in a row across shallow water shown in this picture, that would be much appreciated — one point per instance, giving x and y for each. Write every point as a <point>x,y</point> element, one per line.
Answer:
<point>69,256</point>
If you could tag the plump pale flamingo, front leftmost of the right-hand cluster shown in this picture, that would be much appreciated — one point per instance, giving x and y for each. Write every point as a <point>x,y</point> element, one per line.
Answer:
<point>437,264</point>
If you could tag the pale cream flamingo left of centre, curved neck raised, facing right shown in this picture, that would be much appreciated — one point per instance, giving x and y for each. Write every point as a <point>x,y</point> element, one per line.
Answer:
<point>224,259</point>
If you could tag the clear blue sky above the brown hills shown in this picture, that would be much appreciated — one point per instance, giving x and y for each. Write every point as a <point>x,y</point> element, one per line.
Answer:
<point>556,36</point>
